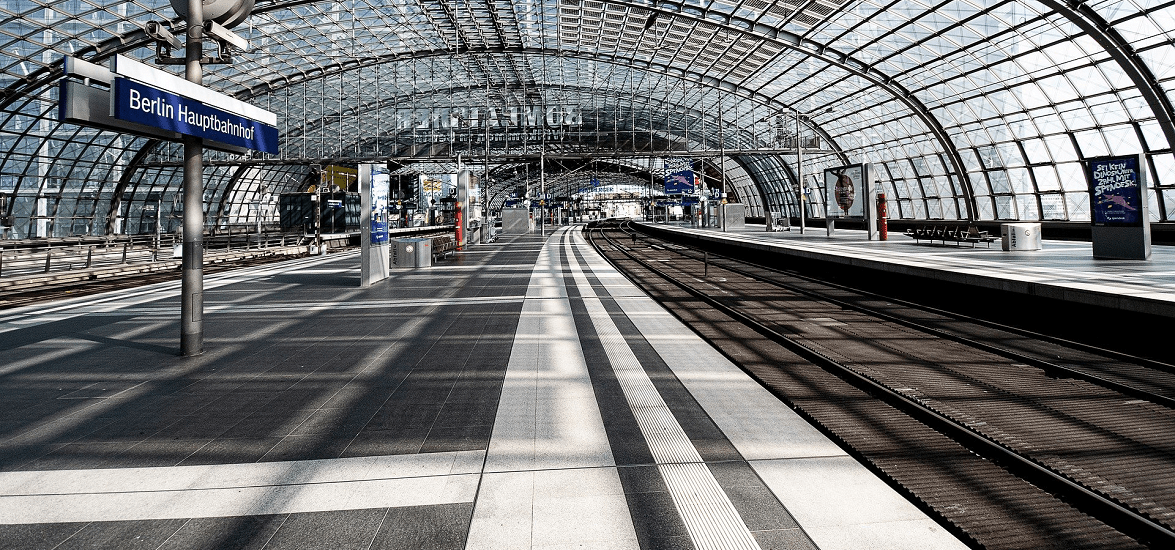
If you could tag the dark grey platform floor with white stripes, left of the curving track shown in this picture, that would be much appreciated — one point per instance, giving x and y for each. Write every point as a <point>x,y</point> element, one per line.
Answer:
<point>521,395</point>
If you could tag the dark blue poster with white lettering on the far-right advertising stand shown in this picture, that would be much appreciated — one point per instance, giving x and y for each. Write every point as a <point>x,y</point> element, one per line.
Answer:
<point>1116,191</point>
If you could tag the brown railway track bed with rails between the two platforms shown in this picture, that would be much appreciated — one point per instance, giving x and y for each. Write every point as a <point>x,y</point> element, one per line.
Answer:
<point>1009,439</point>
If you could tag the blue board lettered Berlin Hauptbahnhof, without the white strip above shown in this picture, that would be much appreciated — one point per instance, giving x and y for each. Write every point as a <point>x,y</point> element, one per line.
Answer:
<point>145,105</point>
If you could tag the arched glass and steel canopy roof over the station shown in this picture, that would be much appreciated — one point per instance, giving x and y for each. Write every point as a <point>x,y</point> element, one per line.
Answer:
<point>970,110</point>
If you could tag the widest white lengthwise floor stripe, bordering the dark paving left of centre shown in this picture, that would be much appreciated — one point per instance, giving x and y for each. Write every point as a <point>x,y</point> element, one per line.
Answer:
<point>552,480</point>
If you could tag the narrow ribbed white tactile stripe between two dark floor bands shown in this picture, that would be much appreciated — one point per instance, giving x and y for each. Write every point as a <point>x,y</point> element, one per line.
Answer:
<point>708,513</point>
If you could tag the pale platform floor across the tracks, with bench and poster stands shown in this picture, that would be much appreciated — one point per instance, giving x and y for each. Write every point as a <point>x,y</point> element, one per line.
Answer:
<point>1062,270</point>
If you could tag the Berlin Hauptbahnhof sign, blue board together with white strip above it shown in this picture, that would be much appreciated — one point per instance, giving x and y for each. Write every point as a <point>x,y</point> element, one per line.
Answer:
<point>149,97</point>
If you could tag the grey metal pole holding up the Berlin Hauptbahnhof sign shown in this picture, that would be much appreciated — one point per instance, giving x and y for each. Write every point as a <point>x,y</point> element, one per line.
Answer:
<point>192,303</point>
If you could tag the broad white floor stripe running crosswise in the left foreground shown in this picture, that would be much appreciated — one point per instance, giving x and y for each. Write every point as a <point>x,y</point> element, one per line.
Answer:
<point>223,491</point>
